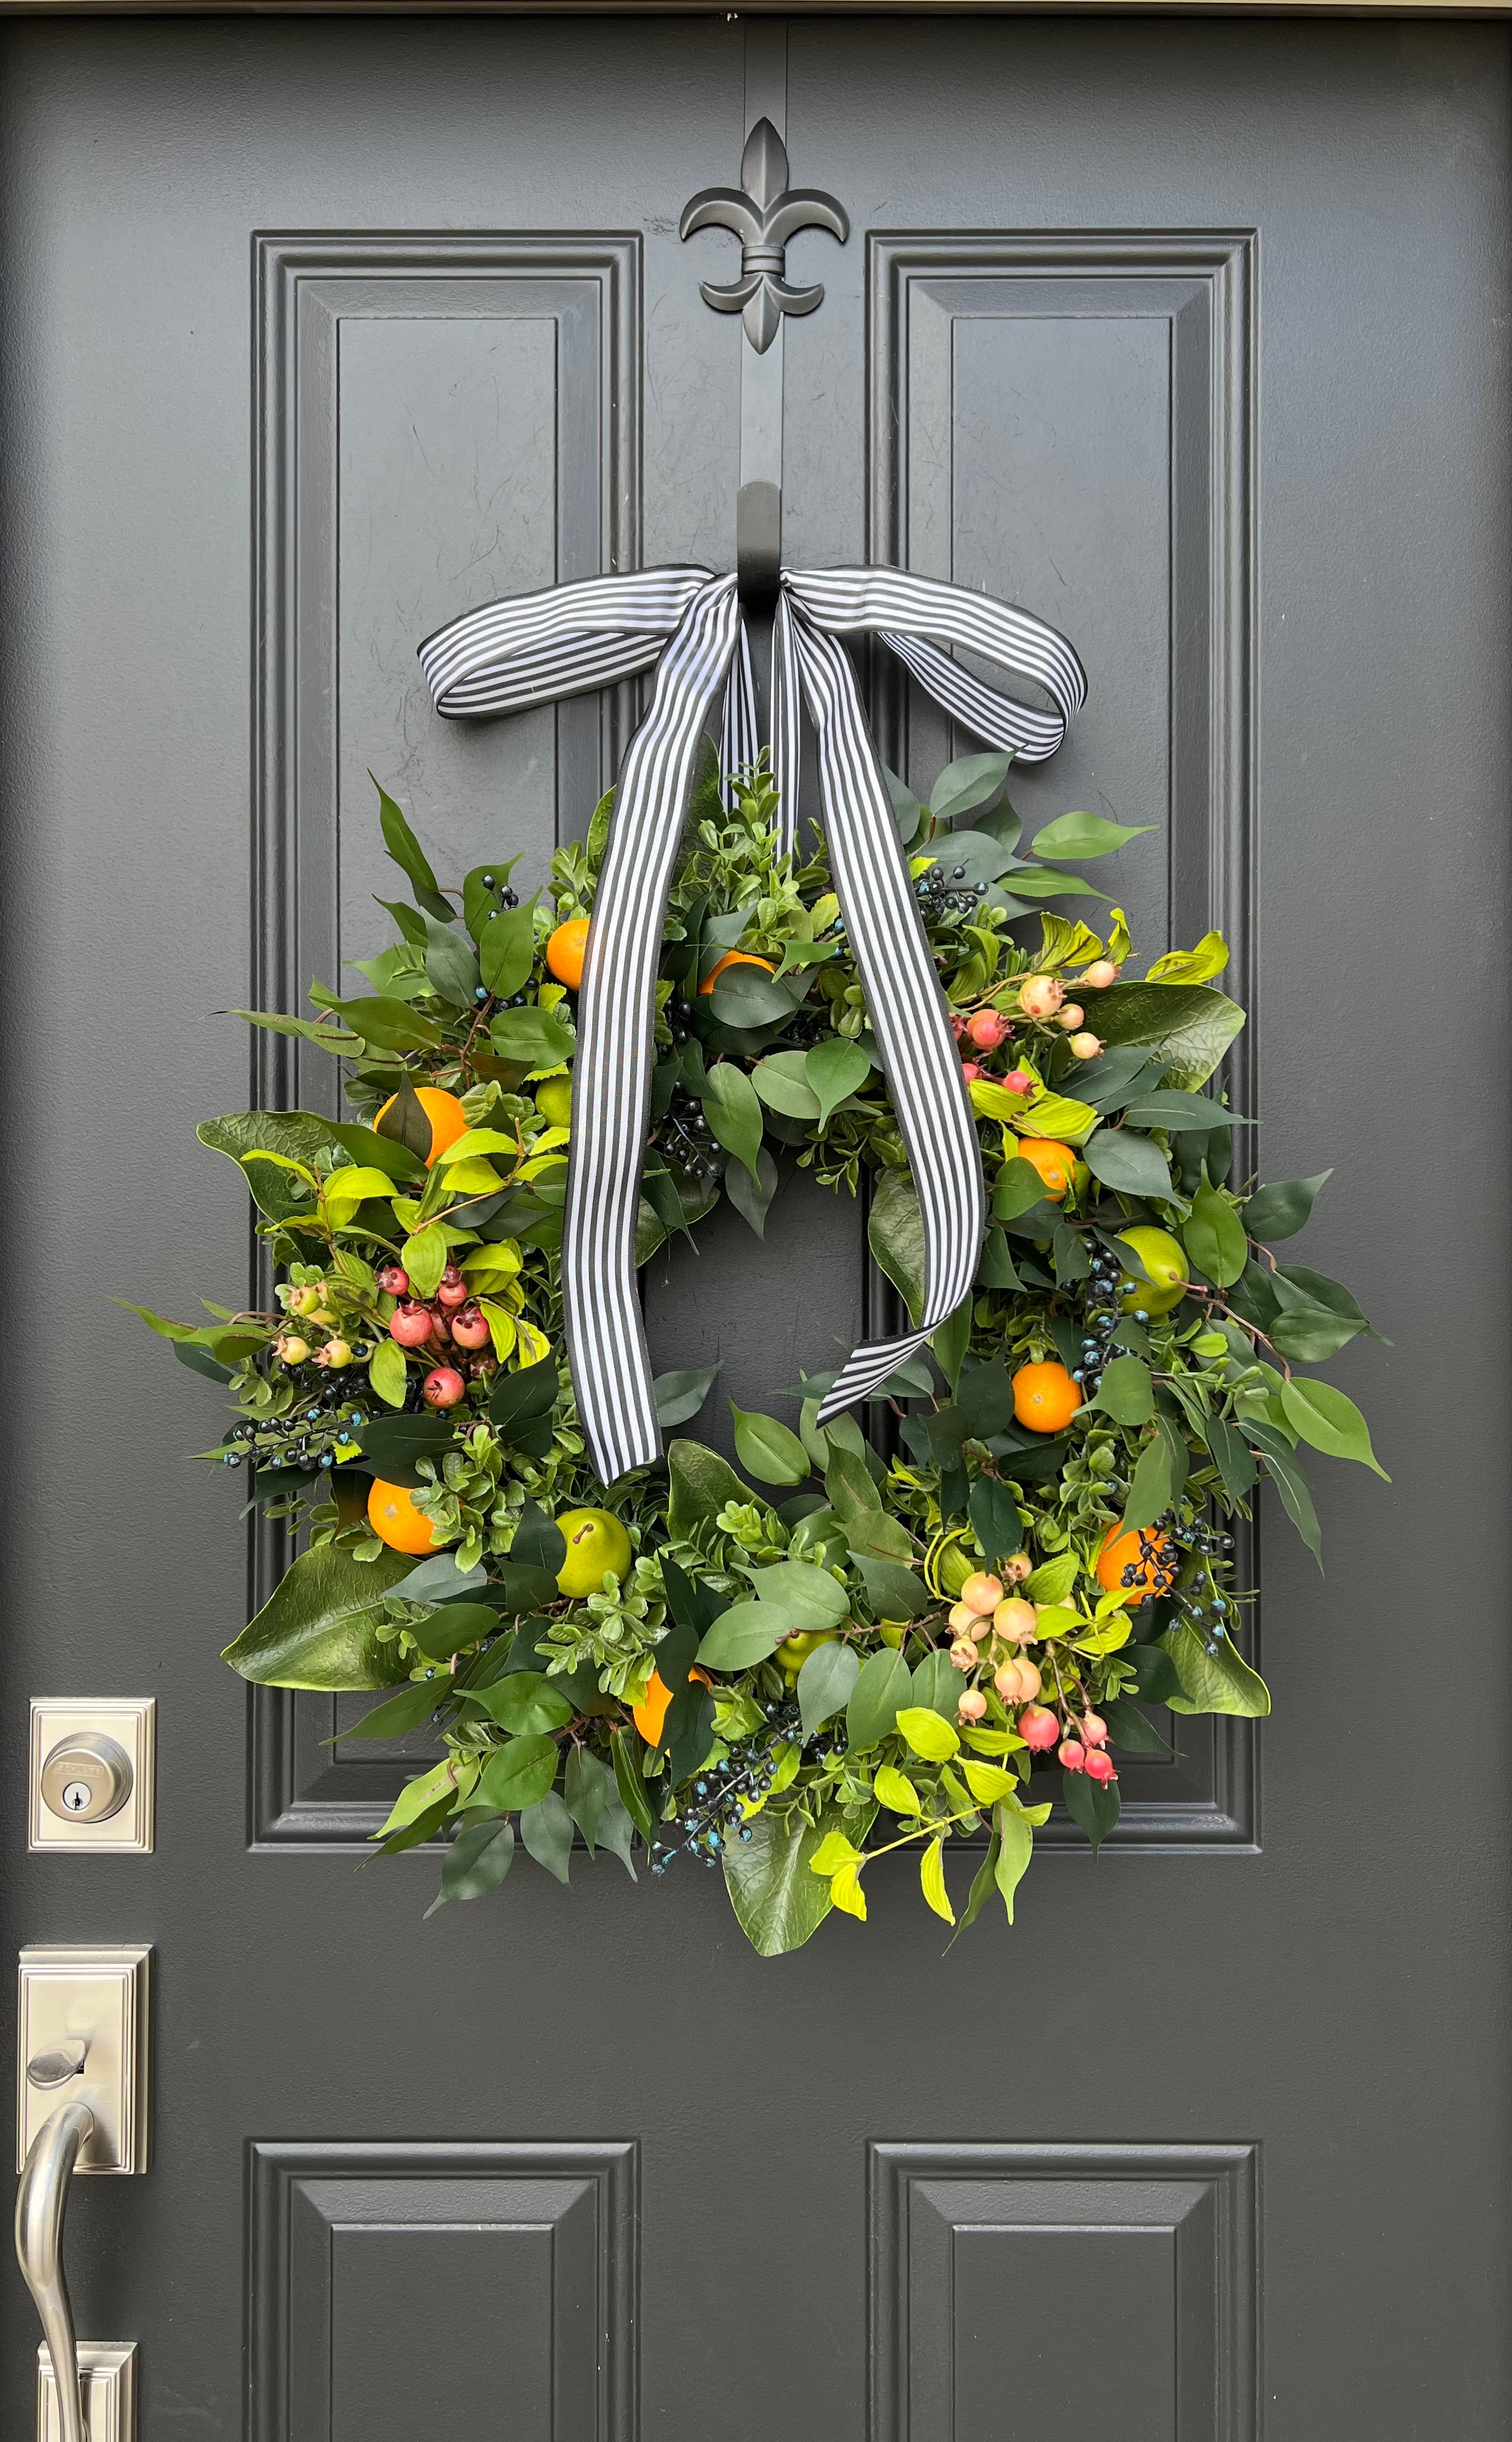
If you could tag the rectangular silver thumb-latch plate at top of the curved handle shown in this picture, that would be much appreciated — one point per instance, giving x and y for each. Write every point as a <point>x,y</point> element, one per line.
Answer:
<point>96,1999</point>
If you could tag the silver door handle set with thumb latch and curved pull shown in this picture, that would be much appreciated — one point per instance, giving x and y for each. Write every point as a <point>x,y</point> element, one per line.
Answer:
<point>82,2106</point>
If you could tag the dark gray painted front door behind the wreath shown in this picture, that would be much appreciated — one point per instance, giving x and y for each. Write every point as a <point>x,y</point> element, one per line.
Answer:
<point>1196,341</point>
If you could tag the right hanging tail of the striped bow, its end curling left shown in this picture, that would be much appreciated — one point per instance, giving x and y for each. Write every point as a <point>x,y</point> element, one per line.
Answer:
<point>905,1005</point>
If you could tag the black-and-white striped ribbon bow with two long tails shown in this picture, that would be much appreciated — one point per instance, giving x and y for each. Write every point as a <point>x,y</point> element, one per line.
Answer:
<point>688,626</point>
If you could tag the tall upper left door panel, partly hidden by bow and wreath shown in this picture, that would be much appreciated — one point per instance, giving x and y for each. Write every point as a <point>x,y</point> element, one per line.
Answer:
<point>333,424</point>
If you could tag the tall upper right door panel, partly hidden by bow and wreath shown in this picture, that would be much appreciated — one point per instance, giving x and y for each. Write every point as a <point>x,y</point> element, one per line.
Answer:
<point>1149,348</point>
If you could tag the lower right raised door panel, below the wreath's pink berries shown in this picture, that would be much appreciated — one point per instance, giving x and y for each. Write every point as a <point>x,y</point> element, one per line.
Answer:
<point>1164,2236</point>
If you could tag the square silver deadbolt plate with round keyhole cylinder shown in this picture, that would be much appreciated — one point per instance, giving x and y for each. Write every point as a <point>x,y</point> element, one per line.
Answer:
<point>94,1774</point>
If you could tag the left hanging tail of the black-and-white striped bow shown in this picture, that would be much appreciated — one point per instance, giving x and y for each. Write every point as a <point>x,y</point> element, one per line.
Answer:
<point>617,1007</point>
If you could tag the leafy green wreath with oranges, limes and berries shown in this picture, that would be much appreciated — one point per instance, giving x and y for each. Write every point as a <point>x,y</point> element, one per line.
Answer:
<point>856,1642</point>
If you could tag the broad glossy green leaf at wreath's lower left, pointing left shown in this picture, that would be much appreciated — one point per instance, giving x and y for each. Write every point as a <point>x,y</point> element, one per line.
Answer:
<point>321,1625</point>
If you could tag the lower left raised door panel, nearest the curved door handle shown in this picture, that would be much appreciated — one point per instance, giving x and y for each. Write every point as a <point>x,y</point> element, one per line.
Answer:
<point>517,2263</point>
